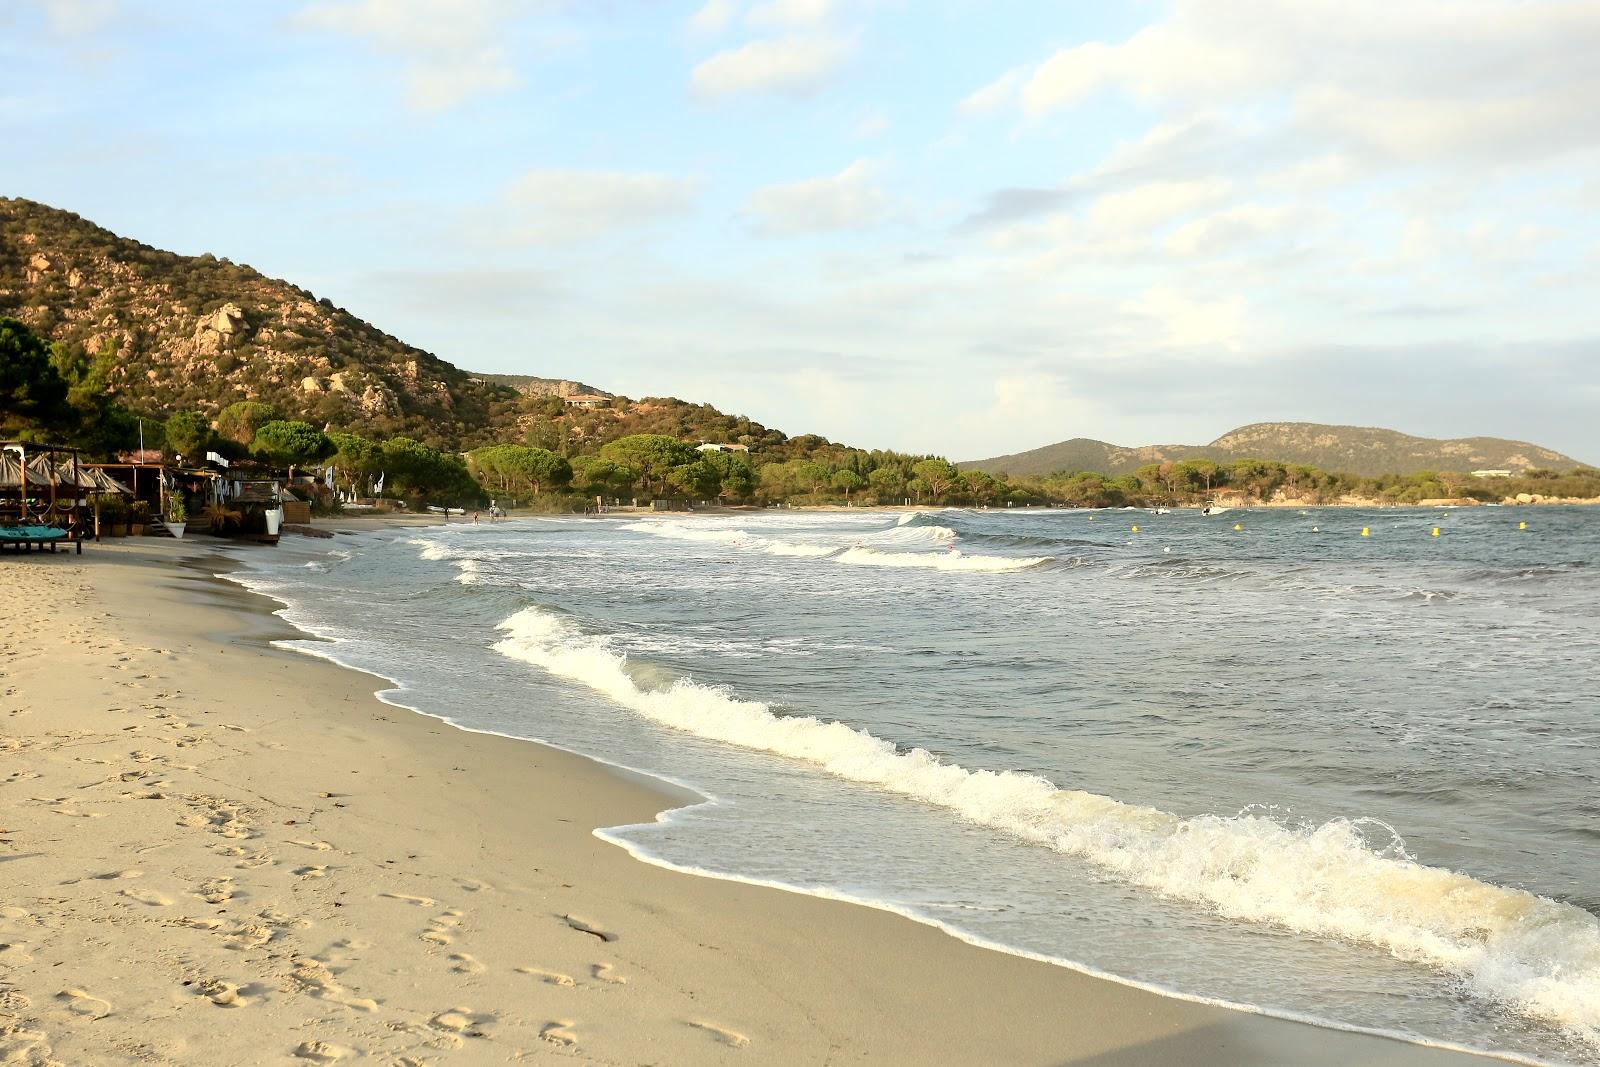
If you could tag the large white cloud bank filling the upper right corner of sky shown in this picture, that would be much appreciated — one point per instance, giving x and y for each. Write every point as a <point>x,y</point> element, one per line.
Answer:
<point>1414,81</point>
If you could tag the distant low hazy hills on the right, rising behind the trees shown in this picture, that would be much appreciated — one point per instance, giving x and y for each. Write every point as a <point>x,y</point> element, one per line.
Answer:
<point>1361,450</point>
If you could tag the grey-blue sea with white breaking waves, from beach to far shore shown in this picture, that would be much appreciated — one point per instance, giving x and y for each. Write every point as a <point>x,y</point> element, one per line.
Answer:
<point>1258,759</point>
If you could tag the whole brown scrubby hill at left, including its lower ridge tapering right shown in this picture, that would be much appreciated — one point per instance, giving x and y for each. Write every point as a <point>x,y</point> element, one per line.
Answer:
<point>199,334</point>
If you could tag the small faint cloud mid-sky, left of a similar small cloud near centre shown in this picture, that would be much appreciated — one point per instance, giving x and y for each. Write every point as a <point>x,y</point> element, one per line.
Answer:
<point>561,207</point>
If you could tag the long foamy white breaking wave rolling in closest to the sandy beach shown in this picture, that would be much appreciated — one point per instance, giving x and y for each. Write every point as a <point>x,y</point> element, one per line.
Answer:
<point>1532,954</point>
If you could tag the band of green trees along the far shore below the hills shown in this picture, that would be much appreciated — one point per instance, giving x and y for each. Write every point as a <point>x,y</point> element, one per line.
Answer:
<point>55,393</point>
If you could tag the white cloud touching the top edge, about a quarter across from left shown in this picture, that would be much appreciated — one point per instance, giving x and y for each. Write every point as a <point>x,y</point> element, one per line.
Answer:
<point>454,49</point>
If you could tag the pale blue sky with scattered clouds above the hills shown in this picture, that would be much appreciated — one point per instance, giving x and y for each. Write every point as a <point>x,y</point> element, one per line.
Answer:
<point>953,226</point>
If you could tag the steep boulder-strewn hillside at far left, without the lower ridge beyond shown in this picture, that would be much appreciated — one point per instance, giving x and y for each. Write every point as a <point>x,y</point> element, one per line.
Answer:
<point>199,332</point>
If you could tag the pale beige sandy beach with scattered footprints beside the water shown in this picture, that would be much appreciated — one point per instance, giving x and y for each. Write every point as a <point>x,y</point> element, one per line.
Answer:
<point>217,852</point>
